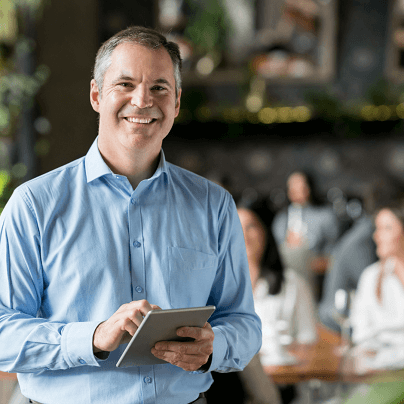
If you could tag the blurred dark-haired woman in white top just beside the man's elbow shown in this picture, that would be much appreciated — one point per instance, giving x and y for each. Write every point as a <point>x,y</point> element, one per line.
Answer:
<point>283,299</point>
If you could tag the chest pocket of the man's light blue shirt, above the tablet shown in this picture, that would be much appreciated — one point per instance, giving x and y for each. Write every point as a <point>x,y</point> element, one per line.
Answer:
<point>191,277</point>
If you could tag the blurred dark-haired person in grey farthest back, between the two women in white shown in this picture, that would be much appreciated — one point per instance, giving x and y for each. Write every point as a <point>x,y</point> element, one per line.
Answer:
<point>305,231</point>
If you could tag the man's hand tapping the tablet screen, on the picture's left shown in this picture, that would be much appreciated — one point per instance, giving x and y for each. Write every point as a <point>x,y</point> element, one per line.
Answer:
<point>121,326</point>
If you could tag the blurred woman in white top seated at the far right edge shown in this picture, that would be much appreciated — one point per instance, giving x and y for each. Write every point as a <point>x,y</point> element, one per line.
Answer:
<point>377,316</point>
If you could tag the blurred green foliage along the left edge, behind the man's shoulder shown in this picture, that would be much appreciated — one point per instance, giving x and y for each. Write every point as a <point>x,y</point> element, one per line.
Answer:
<point>17,90</point>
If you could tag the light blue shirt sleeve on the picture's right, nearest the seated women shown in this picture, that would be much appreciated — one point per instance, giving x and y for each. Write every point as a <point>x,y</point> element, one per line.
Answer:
<point>236,326</point>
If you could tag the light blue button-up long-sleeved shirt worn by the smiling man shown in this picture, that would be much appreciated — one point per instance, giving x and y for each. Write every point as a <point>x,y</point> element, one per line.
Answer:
<point>78,242</point>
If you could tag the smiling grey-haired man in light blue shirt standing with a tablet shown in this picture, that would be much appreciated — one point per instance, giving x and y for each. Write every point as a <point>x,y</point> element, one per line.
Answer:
<point>88,249</point>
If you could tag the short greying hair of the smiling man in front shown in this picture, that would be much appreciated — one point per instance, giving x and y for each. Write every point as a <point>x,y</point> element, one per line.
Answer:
<point>147,37</point>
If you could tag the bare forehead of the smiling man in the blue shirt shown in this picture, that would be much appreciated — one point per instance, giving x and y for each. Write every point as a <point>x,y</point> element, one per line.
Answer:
<point>133,59</point>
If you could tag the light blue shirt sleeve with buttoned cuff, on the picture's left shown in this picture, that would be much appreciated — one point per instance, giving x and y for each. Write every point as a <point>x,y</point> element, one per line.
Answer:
<point>33,343</point>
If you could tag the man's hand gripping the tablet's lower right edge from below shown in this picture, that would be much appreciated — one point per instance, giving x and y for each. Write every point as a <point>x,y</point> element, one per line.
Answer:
<point>191,355</point>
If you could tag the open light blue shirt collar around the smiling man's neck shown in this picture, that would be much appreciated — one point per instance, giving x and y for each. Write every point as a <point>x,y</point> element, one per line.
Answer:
<point>96,166</point>
